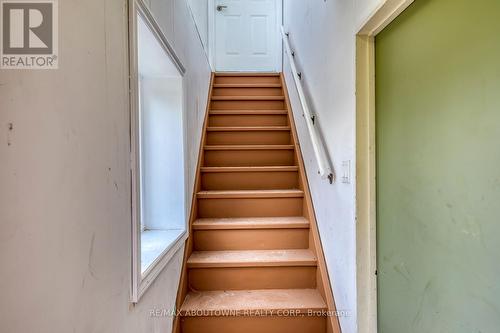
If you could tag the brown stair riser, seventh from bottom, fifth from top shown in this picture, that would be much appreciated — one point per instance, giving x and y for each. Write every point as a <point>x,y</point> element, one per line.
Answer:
<point>249,138</point>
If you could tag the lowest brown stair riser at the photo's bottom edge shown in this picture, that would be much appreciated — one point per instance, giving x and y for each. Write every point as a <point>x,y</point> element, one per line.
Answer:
<point>262,324</point>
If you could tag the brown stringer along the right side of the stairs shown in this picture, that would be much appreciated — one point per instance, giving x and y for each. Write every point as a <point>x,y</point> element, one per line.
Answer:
<point>323,278</point>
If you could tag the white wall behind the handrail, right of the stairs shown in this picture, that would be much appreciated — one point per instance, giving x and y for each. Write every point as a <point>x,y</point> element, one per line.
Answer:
<point>322,33</point>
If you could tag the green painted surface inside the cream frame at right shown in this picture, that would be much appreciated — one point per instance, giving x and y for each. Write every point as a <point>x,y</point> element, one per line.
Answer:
<point>438,168</point>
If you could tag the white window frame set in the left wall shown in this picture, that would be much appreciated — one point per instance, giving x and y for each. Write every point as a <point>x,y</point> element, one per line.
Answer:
<point>141,282</point>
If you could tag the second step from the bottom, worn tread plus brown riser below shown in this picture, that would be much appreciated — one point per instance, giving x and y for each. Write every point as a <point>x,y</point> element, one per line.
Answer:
<point>247,269</point>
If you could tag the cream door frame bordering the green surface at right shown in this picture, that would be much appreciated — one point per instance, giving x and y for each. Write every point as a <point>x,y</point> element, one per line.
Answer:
<point>366,201</point>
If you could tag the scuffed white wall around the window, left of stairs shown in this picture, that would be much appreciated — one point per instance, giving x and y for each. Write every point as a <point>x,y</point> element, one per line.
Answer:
<point>65,220</point>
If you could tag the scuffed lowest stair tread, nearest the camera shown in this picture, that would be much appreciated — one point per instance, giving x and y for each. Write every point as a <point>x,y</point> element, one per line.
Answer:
<point>241,300</point>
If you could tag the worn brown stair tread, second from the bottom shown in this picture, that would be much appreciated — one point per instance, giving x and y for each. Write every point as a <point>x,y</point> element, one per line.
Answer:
<point>251,258</point>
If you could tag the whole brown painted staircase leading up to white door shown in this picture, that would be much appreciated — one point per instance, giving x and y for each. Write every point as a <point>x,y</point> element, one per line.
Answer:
<point>253,262</point>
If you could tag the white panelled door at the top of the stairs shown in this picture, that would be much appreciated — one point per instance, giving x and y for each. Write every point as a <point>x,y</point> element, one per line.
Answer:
<point>246,35</point>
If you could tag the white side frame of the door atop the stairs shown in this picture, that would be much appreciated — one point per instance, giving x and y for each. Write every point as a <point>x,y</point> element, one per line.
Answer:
<point>211,35</point>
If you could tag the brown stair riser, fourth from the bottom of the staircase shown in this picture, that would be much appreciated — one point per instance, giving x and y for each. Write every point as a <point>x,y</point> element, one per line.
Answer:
<point>249,207</point>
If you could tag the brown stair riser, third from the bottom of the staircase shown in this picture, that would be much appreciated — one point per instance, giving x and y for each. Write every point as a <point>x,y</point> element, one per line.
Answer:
<point>259,239</point>
